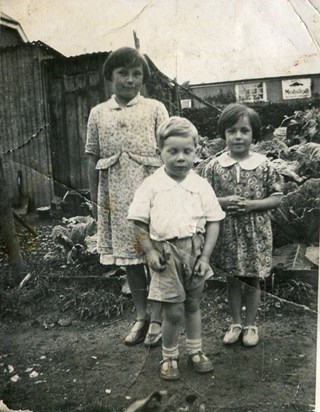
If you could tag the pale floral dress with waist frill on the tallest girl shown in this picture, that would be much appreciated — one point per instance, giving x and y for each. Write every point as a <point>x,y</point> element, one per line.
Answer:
<point>123,139</point>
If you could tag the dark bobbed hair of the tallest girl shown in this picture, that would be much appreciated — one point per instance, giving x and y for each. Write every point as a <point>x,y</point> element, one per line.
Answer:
<point>125,57</point>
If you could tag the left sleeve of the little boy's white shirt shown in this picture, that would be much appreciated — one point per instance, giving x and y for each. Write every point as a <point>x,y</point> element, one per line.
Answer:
<point>139,208</point>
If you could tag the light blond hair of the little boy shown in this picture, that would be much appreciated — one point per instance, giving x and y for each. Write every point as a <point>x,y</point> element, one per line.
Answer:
<point>176,126</point>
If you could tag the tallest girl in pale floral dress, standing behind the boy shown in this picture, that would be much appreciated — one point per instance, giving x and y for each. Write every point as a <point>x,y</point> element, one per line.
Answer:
<point>121,148</point>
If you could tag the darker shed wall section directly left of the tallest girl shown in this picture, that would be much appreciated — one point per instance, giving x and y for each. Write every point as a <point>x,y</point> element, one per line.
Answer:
<point>75,85</point>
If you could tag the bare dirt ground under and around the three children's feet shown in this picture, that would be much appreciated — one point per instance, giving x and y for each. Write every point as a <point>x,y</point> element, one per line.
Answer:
<point>67,364</point>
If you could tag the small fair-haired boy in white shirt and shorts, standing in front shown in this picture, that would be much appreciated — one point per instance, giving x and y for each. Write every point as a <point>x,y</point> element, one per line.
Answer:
<point>177,215</point>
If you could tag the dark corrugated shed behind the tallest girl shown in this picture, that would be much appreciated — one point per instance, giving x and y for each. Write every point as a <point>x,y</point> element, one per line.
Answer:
<point>44,113</point>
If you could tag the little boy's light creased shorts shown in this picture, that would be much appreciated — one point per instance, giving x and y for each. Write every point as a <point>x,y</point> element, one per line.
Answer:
<point>178,278</point>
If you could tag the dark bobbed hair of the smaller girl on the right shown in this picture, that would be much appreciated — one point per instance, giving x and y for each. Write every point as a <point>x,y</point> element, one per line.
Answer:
<point>235,111</point>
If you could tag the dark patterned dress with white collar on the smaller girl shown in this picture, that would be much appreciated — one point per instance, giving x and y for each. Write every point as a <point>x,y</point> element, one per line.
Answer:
<point>244,246</point>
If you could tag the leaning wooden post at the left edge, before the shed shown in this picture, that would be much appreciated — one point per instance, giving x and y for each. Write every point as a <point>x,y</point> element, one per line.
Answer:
<point>8,230</point>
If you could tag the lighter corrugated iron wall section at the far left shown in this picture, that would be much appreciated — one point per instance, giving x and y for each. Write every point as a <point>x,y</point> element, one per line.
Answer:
<point>24,135</point>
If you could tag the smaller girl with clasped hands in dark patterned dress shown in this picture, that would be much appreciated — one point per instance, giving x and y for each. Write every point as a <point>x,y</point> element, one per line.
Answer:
<point>247,187</point>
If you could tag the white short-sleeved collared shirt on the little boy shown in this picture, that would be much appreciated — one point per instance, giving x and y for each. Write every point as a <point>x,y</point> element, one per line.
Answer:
<point>175,209</point>
